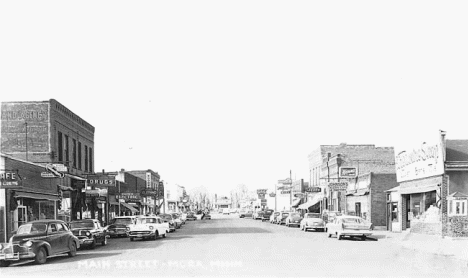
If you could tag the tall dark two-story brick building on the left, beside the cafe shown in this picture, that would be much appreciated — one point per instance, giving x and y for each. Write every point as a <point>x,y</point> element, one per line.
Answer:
<point>47,133</point>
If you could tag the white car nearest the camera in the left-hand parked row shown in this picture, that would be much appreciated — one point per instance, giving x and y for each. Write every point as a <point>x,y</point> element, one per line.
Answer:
<point>147,227</point>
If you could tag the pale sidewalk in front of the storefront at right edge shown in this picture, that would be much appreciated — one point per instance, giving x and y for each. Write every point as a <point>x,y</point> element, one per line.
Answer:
<point>447,246</point>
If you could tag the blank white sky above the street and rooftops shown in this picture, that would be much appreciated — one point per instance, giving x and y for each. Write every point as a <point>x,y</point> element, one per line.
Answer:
<point>221,93</point>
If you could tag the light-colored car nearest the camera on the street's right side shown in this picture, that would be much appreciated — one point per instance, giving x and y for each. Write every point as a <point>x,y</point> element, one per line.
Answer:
<point>352,226</point>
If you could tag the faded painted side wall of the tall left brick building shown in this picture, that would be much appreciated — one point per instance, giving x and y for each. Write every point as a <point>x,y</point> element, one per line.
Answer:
<point>25,126</point>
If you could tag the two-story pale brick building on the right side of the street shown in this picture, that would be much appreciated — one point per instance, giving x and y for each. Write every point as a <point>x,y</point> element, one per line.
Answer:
<point>325,163</point>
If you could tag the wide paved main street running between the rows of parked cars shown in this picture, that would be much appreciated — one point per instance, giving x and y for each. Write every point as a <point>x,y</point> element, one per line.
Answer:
<point>230,246</point>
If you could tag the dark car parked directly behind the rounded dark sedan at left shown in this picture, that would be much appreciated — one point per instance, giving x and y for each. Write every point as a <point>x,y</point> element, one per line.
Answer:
<point>89,232</point>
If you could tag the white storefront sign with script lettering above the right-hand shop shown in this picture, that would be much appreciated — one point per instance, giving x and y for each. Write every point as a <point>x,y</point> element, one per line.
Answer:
<point>419,162</point>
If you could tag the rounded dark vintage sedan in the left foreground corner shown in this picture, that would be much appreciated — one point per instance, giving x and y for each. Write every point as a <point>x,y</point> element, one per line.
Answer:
<point>38,240</point>
